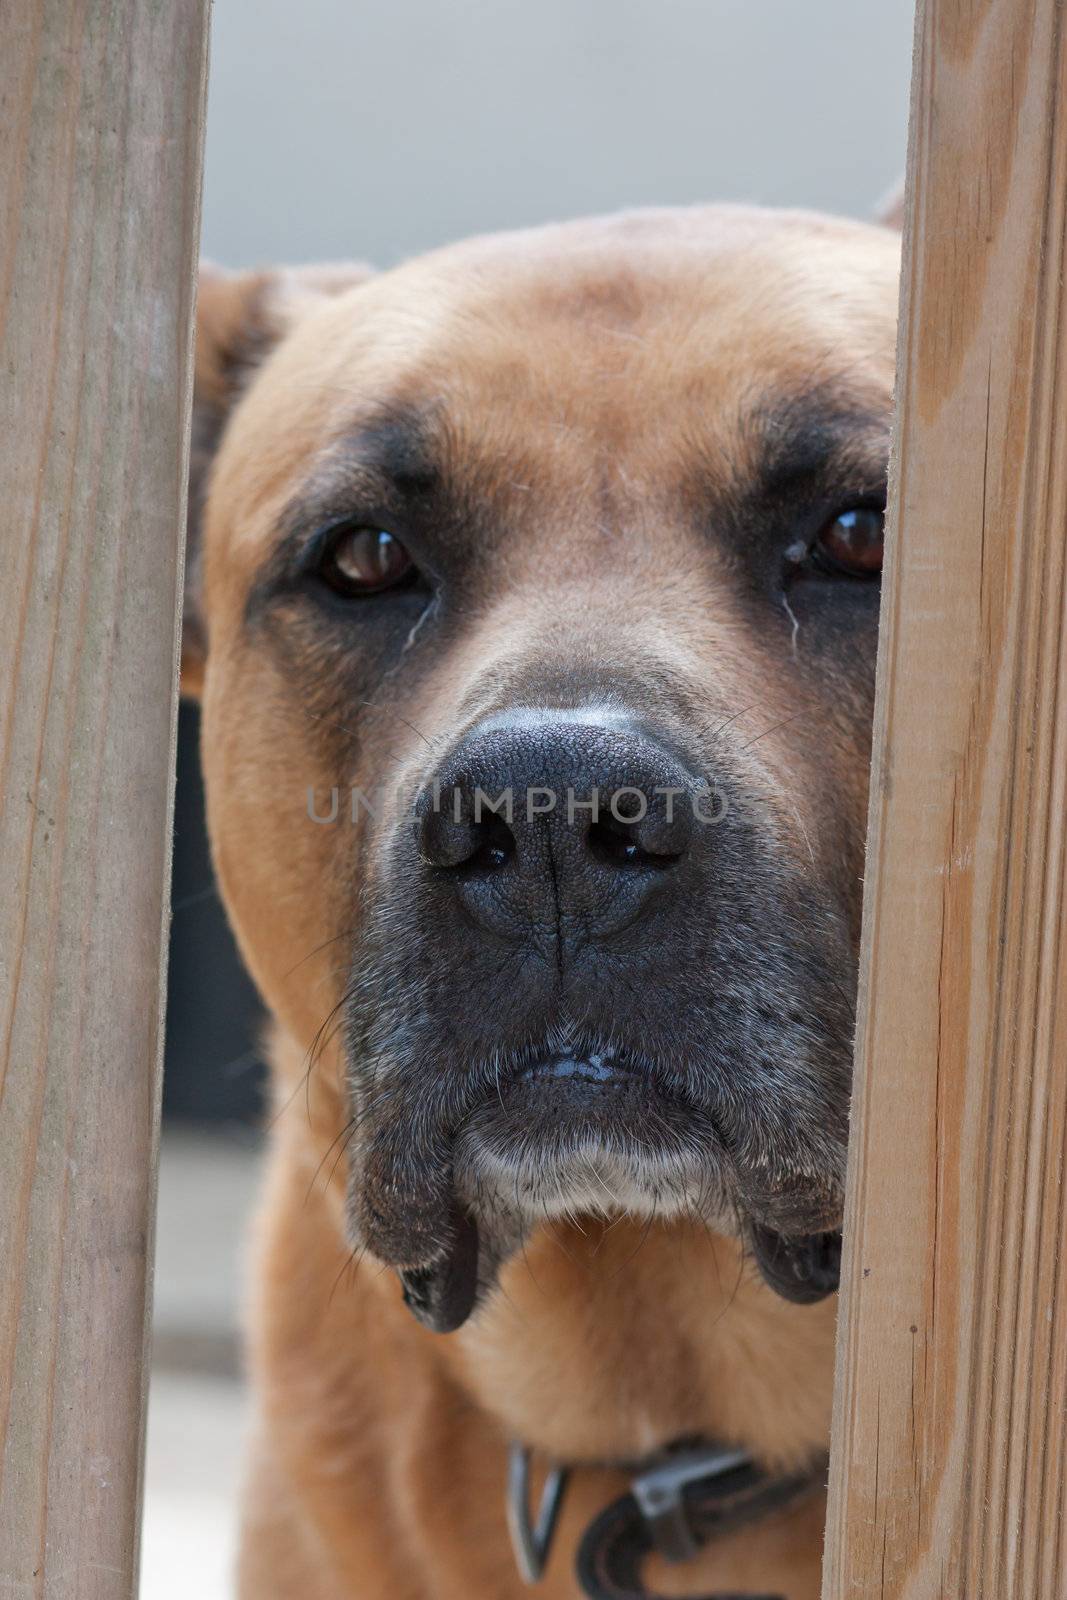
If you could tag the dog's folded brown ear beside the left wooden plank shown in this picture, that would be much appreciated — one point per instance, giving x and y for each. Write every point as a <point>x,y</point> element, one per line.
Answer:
<point>241,318</point>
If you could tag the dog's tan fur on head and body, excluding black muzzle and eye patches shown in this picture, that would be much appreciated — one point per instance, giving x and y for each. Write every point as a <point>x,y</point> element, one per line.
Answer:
<point>580,358</point>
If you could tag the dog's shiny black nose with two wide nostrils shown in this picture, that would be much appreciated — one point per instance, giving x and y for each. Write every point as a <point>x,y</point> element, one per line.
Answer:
<point>557,825</point>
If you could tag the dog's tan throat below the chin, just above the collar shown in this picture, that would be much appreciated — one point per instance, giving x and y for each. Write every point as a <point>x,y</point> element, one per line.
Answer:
<point>644,1334</point>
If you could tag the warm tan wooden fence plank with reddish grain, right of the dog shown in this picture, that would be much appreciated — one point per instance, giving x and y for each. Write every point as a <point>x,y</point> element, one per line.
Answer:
<point>949,1471</point>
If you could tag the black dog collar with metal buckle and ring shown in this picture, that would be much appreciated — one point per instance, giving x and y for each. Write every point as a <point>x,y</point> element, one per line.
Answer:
<point>677,1503</point>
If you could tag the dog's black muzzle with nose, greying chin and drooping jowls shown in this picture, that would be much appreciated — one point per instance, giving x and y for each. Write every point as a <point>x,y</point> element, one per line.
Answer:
<point>593,977</point>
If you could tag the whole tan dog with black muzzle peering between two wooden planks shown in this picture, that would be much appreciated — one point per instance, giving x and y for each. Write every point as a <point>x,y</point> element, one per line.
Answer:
<point>594,516</point>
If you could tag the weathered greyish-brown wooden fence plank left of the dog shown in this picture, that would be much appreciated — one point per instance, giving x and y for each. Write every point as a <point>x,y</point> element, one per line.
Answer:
<point>100,194</point>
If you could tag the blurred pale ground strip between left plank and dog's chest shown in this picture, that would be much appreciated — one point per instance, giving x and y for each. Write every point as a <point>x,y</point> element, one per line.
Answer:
<point>198,1404</point>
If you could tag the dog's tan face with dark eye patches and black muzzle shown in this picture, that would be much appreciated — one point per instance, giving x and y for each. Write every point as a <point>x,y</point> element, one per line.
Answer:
<point>549,567</point>
